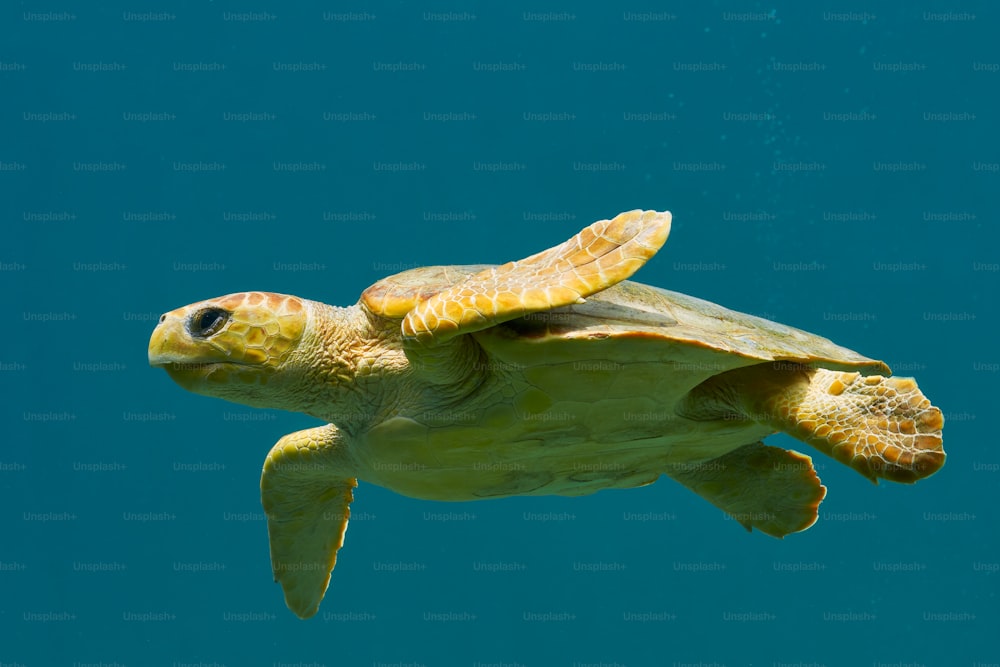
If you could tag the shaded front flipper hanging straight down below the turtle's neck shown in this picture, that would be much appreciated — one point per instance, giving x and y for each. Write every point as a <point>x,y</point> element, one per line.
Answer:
<point>306,490</point>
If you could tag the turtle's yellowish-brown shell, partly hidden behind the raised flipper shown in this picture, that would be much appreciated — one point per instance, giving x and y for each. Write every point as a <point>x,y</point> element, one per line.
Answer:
<point>640,323</point>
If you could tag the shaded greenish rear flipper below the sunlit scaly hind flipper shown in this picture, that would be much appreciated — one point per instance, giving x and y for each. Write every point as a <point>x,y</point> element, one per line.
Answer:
<point>768,488</point>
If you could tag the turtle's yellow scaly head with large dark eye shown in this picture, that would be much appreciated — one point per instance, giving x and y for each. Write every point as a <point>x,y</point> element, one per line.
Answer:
<point>239,347</point>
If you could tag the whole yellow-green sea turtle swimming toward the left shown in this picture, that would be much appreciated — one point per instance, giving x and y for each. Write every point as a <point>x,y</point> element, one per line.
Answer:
<point>548,375</point>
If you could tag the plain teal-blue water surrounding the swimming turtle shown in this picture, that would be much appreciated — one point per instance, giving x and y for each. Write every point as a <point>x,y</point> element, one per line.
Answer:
<point>832,166</point>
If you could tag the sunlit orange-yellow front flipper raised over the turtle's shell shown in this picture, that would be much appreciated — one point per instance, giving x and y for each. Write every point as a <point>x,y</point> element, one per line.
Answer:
<point>603,254</point>
